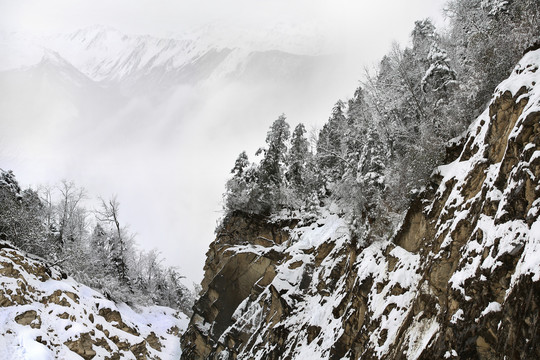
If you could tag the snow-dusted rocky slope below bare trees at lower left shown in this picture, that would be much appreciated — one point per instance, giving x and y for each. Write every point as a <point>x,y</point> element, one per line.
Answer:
<point>44,315</point>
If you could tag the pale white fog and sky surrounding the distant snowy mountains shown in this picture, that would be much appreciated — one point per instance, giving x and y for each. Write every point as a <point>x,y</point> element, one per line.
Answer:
<point>167,153</point>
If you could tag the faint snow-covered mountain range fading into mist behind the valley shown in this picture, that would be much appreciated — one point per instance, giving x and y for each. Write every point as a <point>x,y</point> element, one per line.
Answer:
<point>105,54</point>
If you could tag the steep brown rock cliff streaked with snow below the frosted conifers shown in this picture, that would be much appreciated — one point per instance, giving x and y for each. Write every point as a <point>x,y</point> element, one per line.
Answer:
<point>460,279</point>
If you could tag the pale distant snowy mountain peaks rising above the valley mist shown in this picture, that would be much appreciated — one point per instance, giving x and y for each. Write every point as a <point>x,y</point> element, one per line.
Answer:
<point>213,51</point>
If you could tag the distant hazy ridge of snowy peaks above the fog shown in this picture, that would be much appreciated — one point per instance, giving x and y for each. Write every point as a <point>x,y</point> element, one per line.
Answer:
<point>105,54</point>
